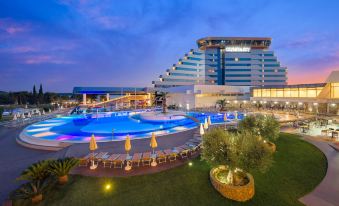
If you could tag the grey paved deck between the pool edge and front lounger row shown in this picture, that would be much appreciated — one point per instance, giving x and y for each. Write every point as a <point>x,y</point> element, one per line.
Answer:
<point>15,158</point>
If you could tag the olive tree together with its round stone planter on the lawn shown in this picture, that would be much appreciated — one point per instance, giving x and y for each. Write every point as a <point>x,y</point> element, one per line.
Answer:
<point>232,156</point>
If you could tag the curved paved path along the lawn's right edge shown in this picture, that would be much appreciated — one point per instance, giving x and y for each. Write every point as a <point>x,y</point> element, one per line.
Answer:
<point>327,192</point>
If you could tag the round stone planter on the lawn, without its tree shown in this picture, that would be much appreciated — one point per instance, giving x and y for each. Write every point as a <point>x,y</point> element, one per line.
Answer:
<point>237,193</point>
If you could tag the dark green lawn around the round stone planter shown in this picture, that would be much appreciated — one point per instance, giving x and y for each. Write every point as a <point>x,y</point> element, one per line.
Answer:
<point>298,169</point>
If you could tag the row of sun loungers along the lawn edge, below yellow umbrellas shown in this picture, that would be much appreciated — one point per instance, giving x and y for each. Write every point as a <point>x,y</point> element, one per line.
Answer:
<point>161,156</point>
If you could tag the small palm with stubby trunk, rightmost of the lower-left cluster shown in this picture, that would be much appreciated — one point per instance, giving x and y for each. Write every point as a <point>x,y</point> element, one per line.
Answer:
<point>62,167</point>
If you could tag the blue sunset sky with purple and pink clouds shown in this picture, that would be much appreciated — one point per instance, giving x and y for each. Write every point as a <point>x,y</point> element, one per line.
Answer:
<point>67,43</point>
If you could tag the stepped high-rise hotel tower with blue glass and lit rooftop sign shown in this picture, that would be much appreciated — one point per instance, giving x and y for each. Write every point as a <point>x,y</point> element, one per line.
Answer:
<point>236,61</point>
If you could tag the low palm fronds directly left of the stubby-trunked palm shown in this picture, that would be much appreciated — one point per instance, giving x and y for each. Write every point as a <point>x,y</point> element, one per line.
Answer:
<point>36,172</point>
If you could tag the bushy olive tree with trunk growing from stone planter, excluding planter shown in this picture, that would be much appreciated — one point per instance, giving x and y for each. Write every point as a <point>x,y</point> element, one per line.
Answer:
<point>235,150</point>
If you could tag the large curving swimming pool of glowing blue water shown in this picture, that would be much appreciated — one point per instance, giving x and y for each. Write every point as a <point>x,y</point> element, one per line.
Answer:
<point>114,126</point>
